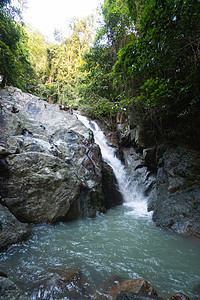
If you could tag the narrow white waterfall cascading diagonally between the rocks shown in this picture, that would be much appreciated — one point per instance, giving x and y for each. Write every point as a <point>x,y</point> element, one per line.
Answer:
<point>133,198</point>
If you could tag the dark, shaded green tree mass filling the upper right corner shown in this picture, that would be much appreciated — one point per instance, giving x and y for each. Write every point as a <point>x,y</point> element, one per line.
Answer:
<point>163,64</point>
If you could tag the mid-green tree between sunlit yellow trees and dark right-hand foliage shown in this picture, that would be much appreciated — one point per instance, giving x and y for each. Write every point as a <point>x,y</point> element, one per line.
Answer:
<point>98,92</point>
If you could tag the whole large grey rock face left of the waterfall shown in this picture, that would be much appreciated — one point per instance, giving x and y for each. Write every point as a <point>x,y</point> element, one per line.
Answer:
<point>50,166</point>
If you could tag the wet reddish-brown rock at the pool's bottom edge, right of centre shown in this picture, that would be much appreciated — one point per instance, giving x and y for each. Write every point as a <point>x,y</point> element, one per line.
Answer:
<point>138,286</point>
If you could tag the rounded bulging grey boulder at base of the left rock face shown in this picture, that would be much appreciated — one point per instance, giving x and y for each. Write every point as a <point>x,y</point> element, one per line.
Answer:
<point>44,187</point>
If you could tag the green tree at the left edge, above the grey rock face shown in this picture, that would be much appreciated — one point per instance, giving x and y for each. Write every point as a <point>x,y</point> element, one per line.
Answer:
<point>15,67</point>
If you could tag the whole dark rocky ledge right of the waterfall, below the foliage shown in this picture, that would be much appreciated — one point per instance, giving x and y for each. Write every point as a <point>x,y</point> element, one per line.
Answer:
<point>169,175</point>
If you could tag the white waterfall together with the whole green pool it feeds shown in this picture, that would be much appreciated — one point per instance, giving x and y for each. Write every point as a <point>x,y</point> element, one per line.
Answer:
<point>122,244</point>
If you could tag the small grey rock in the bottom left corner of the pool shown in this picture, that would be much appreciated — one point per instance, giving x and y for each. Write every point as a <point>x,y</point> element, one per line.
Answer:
<point>8,290</point>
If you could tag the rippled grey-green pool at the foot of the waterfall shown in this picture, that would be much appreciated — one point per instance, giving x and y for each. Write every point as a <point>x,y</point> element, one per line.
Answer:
<point>118,243</point>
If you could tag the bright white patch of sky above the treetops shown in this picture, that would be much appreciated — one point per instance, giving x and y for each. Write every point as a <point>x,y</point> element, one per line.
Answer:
<point>47,15</point>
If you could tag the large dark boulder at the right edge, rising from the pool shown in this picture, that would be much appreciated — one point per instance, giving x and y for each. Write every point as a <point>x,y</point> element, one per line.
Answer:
<point>177,187</point>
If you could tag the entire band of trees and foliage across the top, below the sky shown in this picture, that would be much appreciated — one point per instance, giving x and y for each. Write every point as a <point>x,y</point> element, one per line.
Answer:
<point>144,61</point>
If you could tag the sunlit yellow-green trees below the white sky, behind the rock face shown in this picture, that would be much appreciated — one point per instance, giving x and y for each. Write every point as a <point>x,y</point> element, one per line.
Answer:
<point>60,76</point>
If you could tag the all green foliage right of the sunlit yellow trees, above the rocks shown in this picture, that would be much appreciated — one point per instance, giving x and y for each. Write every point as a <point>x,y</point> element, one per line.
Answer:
<point>146,61</point>
